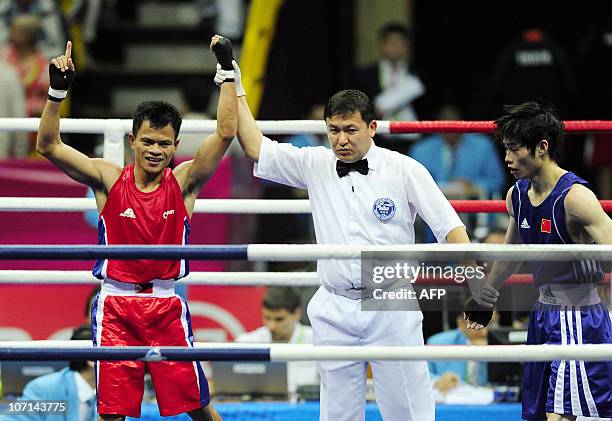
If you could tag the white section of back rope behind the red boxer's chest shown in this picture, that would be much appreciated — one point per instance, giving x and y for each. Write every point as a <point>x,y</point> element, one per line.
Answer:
<point>81,204</point>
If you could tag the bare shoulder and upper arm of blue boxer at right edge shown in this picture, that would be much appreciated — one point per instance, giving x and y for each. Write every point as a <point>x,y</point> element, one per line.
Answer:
<point>582,207</point>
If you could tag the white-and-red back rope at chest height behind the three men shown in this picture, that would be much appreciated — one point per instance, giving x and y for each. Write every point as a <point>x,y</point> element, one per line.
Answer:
<point>229,206</point>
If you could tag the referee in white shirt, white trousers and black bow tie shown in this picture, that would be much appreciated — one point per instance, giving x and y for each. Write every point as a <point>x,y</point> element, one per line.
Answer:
<point>359,194</point>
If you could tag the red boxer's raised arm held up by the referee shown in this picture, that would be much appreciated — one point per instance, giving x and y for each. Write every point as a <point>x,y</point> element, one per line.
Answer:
<point>192,174</point>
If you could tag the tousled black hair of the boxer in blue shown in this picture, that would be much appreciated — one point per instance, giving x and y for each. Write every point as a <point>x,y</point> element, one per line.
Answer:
<point>529,123</point>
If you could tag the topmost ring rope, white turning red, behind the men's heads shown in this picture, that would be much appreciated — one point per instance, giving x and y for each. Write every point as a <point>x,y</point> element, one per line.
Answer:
<point>98,126</point>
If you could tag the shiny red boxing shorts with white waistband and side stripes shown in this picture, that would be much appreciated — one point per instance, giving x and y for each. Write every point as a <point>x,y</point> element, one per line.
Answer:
<point>127,314</point>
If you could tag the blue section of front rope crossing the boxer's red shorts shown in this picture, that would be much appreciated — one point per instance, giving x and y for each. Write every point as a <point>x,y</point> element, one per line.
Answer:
<point>109,353</point>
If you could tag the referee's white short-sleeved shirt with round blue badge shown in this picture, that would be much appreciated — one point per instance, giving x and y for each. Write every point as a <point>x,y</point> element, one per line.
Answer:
<point>343,209</point>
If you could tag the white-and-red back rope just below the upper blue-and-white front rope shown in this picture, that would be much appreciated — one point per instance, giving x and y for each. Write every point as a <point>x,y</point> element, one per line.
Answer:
<point>301,279</point>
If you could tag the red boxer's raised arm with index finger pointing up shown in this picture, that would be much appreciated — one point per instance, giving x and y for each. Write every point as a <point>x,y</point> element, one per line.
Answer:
<point>97,173</point>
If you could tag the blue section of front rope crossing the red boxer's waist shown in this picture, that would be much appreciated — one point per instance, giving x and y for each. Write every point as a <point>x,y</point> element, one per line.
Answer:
<point>93,252</point>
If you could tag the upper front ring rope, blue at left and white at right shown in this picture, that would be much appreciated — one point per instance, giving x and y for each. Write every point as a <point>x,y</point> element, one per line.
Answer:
<point>311,252</point>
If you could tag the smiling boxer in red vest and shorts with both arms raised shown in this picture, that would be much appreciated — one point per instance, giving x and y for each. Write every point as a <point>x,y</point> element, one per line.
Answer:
<point>143,203</point>
